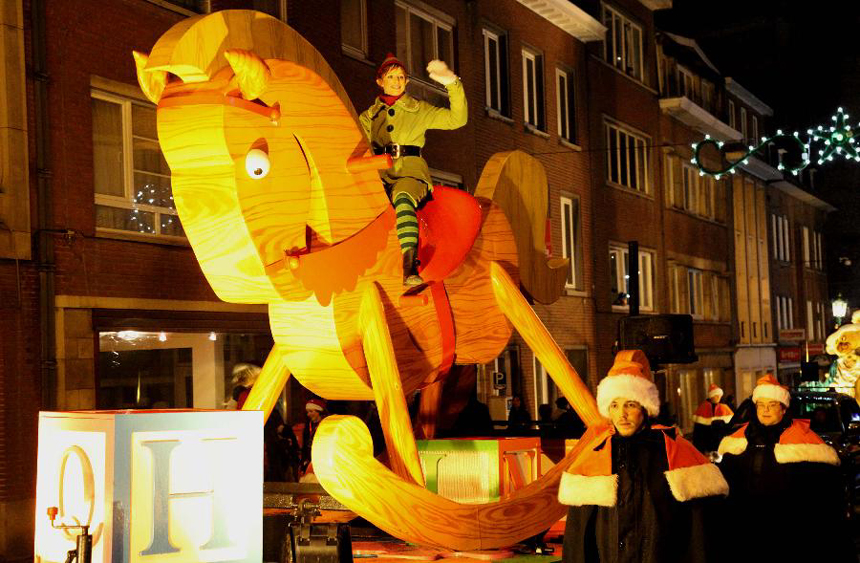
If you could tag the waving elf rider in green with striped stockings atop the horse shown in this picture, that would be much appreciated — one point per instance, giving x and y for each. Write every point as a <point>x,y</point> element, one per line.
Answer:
<point>395,125</point>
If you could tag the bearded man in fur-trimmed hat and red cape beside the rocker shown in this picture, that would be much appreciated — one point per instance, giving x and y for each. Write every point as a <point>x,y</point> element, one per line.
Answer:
<point>638,491</point>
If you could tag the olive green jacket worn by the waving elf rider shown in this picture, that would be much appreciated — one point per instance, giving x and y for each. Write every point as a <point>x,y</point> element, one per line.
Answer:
<point>405,122</point>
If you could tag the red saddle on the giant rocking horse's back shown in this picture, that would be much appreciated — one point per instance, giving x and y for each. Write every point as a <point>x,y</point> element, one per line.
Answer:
<point>448,225</point>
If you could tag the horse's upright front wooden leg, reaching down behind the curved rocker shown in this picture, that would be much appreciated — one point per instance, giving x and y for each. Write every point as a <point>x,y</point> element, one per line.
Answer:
<point>387,389</point>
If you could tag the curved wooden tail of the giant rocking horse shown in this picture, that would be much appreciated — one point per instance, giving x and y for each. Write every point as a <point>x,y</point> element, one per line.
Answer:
<point>516,182</point>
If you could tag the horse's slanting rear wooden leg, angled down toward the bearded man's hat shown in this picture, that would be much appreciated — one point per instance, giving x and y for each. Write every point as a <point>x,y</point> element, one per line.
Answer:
<point>538,338</point>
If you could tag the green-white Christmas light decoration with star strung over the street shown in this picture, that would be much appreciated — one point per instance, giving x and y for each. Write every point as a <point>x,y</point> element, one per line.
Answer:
<point>838,139</point>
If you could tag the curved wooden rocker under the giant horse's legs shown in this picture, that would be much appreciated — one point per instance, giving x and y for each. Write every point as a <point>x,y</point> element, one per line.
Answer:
<point>343,461</point>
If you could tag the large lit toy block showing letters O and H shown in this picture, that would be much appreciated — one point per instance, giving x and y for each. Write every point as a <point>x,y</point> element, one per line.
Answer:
<point>168,487</point>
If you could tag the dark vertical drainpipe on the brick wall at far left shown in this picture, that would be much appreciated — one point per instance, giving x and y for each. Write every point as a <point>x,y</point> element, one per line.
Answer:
<point>44,209</point>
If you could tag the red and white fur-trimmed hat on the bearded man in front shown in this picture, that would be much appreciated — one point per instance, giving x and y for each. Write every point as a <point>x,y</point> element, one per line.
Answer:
<point>629,378</point>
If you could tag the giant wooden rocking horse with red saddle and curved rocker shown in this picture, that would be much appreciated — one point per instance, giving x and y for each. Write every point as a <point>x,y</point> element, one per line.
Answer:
<point>281,201</point>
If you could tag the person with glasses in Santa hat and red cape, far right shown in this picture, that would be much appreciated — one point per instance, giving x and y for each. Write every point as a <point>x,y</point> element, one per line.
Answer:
<point>786,501</point>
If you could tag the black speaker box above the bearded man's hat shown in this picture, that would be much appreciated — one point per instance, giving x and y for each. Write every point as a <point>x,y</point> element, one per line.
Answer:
<point>665,339</point>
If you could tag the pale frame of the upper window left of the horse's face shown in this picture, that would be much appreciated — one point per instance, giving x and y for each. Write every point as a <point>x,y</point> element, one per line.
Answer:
<point>128,170</point>
